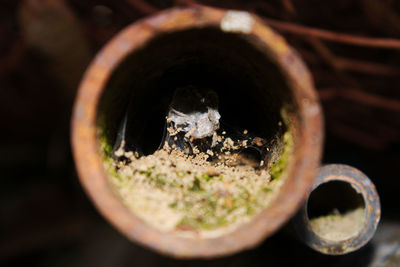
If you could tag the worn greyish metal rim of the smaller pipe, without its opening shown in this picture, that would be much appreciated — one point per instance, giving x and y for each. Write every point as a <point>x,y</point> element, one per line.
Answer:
<point>362,185</point>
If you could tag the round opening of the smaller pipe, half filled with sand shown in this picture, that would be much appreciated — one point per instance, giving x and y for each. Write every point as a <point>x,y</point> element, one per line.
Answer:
<point>336,211</point>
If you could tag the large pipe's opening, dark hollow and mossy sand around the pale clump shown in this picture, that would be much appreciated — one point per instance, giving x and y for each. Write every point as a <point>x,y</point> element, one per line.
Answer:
<point>255,101</point>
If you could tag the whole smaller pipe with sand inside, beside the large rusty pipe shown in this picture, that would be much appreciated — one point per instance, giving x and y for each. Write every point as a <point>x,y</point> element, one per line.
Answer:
<point>354,206</point>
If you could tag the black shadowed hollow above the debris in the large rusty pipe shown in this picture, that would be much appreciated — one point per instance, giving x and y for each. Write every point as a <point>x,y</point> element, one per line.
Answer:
<point>251,88</point>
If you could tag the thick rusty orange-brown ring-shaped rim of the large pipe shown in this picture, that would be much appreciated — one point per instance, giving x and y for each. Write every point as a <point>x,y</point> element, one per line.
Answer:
<point>300,173</point>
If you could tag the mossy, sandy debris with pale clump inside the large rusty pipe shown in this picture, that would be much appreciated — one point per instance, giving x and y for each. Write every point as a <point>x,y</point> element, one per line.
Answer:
<point>206,178</point>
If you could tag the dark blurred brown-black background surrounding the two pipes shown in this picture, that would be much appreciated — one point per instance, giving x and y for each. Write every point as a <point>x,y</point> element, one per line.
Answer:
<point>45,217</point>
